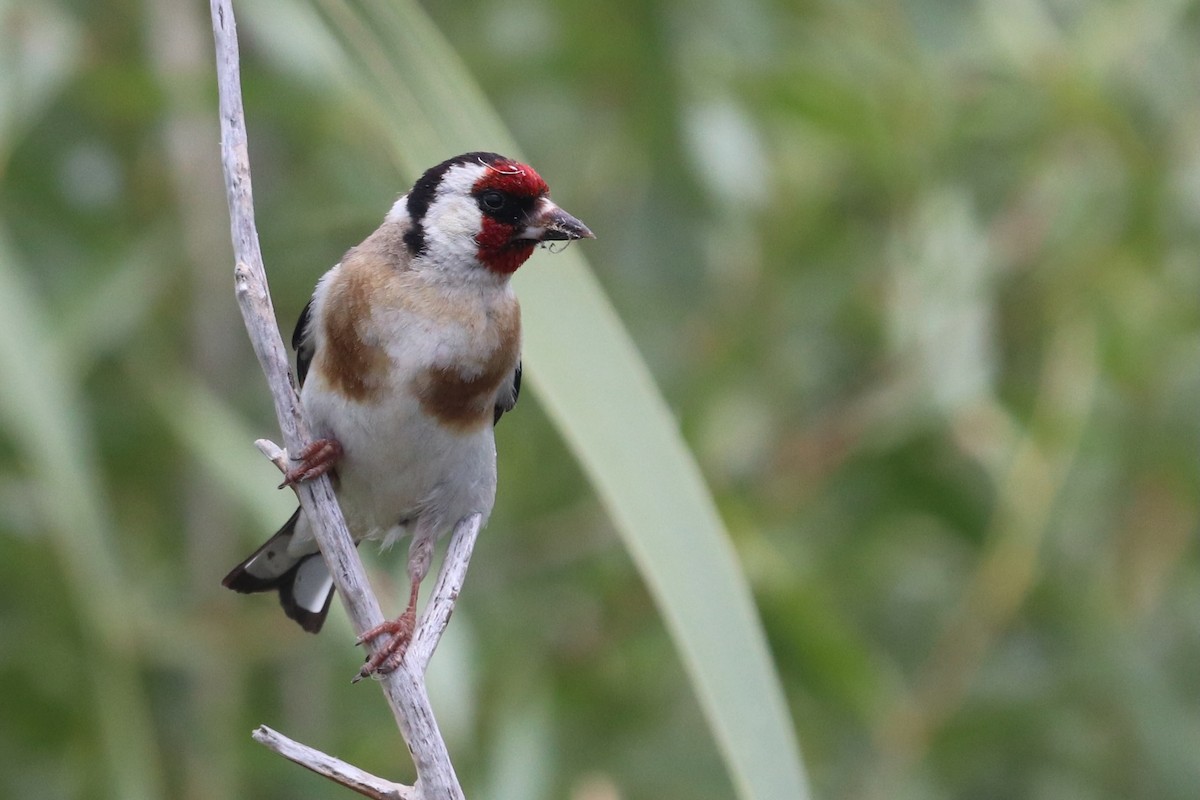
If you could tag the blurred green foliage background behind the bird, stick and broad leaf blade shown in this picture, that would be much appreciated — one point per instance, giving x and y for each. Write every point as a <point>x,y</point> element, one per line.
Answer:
<point>921,282</point>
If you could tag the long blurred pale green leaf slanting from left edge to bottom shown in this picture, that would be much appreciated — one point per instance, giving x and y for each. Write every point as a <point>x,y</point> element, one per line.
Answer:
<point>41,410</point>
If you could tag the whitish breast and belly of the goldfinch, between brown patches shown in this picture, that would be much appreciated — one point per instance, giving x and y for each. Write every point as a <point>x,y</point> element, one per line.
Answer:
<point>400,464</point>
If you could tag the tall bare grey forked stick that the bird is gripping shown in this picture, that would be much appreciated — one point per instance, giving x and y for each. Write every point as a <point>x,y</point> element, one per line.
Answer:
<point>405,688</point>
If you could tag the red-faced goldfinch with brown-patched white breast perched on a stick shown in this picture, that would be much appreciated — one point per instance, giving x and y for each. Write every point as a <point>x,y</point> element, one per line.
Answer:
<point>409,354</point>
